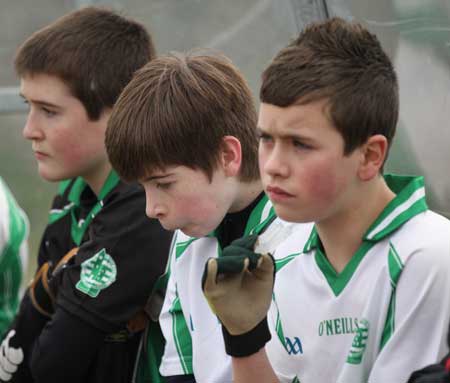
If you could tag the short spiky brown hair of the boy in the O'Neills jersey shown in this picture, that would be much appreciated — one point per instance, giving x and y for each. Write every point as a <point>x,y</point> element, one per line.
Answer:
<point>344,63</point>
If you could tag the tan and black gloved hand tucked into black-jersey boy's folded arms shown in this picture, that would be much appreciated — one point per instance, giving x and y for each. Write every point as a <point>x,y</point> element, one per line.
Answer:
<point>44,286</point>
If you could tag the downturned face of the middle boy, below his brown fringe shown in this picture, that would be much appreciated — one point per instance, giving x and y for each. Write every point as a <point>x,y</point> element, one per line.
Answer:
<point>184,198</point>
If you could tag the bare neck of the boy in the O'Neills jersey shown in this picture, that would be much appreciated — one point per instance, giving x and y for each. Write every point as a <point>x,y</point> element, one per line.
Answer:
<point>341,235</point>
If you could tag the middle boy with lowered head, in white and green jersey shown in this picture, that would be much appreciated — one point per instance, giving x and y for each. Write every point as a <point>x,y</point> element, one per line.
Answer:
<point>185,127</point>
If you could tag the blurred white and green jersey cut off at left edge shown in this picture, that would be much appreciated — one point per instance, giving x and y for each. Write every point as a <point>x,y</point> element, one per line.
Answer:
<point>13,254</point>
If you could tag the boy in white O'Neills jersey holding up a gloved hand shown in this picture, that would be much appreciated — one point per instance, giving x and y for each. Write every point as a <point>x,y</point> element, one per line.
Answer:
<point>362,294</point>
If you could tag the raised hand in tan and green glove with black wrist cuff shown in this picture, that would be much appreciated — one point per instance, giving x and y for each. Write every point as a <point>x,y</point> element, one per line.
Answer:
<point>238,286</point>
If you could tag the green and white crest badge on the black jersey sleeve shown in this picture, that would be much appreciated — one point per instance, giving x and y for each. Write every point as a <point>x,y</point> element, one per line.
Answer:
<point>97,273</point>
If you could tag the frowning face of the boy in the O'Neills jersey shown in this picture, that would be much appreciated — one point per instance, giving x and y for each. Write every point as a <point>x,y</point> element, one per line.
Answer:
<point>302,165</point>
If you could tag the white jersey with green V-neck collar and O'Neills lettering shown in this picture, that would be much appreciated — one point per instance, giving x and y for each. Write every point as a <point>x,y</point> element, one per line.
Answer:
<point>385,315</point>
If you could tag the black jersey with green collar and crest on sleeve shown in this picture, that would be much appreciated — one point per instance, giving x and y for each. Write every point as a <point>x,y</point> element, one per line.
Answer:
<point>121,255</point>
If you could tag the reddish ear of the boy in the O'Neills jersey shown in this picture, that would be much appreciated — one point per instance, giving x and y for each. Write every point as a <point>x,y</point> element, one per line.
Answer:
<point>374,153</point>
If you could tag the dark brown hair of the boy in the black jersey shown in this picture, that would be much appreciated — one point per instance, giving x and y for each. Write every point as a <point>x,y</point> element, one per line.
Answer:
<point>95,51</point>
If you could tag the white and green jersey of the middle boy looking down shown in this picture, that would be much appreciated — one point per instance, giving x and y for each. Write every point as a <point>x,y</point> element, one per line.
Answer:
<point>194,342</point>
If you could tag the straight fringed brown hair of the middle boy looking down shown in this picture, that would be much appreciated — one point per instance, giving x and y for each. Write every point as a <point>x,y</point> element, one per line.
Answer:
<point>176,111</point>
